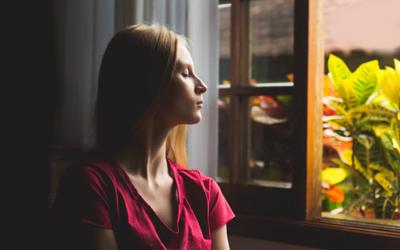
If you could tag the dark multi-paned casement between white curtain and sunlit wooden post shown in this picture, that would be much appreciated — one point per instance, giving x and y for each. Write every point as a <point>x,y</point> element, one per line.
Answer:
<point>256,104</point>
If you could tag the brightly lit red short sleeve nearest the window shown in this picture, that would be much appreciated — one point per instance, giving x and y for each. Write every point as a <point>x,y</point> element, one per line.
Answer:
<point>220,211</point>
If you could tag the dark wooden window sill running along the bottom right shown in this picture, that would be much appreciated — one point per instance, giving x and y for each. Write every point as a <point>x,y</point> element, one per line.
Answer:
<point>321,233</point>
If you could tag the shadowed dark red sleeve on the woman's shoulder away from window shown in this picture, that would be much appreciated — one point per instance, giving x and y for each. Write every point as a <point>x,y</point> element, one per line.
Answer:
<point>84,196</point>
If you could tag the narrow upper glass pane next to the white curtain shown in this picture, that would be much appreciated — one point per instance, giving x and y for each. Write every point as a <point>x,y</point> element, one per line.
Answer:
<point>224,42</point>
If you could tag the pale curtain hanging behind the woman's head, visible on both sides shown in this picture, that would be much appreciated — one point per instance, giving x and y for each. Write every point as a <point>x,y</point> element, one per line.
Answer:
<point>84,29</point>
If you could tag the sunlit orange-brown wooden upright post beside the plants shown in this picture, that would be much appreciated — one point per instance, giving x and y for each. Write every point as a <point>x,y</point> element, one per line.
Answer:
<point>314,109</point>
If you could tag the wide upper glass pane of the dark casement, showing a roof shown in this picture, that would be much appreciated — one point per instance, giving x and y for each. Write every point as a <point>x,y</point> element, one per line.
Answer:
<point>271,40</point>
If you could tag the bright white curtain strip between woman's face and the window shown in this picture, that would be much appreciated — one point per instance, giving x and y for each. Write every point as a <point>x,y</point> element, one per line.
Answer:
<point>203,34</point>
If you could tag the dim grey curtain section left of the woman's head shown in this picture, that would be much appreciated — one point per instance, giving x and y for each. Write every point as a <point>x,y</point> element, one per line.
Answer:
<point>83,31</point>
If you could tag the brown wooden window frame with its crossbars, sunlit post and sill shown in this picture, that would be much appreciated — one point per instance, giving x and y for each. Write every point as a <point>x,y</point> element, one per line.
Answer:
<point>289,215</point>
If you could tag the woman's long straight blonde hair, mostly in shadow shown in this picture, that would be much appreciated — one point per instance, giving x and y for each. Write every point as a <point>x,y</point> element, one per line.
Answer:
<point>134,76</point>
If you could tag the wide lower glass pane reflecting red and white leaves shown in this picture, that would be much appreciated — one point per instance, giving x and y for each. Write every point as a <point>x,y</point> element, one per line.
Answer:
<point>269,154</point>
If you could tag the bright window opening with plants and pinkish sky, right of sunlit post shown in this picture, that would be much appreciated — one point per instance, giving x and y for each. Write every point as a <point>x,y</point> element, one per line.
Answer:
<point>361,152</point>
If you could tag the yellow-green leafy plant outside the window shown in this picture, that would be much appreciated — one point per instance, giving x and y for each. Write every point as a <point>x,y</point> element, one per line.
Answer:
<point>367,113</point>
